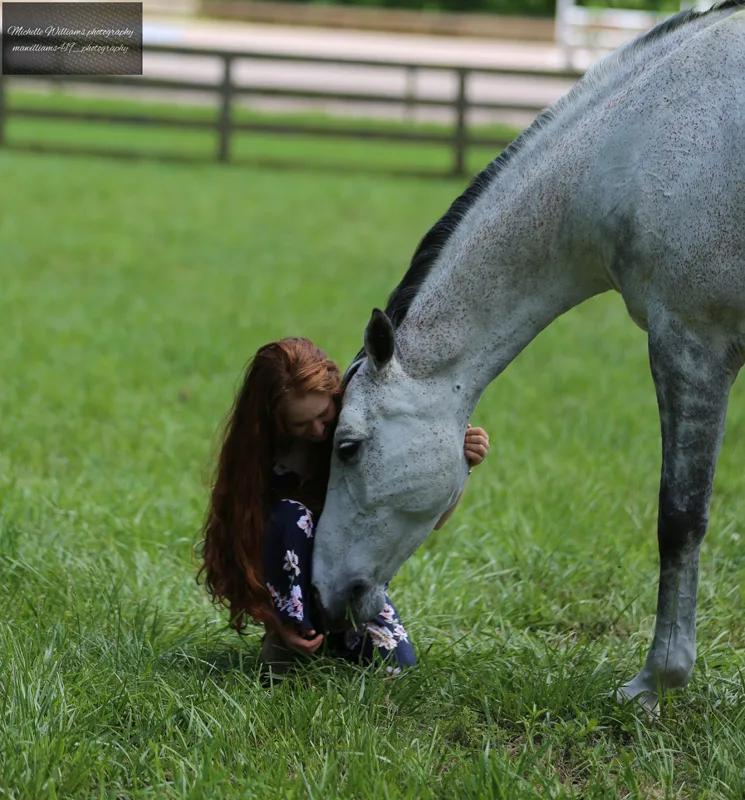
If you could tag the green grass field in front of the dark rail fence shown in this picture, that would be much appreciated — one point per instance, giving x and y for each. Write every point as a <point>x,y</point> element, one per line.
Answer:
<point>131,296</point>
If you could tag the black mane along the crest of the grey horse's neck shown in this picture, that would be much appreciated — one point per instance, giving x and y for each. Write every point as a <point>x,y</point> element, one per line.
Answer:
<point>434,241</point>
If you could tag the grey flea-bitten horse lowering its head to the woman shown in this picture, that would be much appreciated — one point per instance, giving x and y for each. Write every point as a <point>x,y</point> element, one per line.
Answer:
<point>634,181</point>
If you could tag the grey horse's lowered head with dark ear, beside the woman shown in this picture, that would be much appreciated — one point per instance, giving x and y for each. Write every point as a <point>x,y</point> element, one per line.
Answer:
<point>397,466</point>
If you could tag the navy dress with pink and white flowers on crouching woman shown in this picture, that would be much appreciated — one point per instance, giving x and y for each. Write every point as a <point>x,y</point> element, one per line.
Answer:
<point>287,564</point>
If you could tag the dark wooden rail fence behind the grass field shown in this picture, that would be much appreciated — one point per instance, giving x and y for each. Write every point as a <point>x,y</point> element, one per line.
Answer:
<point>225,126</point>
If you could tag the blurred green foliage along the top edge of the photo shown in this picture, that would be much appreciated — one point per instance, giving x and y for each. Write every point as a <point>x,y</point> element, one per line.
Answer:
<point>517,7</point>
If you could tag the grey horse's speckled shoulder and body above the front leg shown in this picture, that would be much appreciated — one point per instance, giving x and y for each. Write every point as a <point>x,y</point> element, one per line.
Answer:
<point>670,177</point>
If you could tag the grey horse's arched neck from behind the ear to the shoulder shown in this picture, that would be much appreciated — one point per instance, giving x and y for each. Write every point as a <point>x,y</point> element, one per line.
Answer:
<point>529,249</point>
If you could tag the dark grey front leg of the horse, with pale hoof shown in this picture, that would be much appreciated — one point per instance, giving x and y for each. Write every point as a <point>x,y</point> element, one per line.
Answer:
<point>692,377</point>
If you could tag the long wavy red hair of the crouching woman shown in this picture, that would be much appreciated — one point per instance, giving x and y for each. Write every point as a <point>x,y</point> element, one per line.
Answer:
<point>232,549</point>
